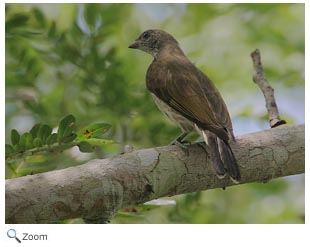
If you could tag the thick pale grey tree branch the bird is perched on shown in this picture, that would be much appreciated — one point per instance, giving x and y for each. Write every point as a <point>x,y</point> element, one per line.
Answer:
<point>99,188</point>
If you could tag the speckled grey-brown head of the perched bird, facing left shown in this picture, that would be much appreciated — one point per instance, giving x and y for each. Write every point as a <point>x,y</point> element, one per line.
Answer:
<point>153,41</point>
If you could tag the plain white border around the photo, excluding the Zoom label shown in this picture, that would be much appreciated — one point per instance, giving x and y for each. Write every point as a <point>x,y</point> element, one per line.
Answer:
<point>155,235</point>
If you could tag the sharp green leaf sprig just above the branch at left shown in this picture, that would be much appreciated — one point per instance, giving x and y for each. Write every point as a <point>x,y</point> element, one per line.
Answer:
<point>41,140</point>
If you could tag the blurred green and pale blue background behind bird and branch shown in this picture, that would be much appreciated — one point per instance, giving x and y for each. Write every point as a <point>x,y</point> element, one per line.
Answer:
<point>73,58</point>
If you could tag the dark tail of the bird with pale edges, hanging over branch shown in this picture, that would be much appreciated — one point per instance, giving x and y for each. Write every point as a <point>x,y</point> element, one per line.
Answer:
<point>222,157</point>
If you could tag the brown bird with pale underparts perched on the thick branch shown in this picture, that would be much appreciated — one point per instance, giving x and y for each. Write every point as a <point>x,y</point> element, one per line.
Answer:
<point>189,99</point>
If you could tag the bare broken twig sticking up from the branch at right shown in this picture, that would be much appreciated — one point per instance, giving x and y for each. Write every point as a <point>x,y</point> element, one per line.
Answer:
<point>268,91</point>
